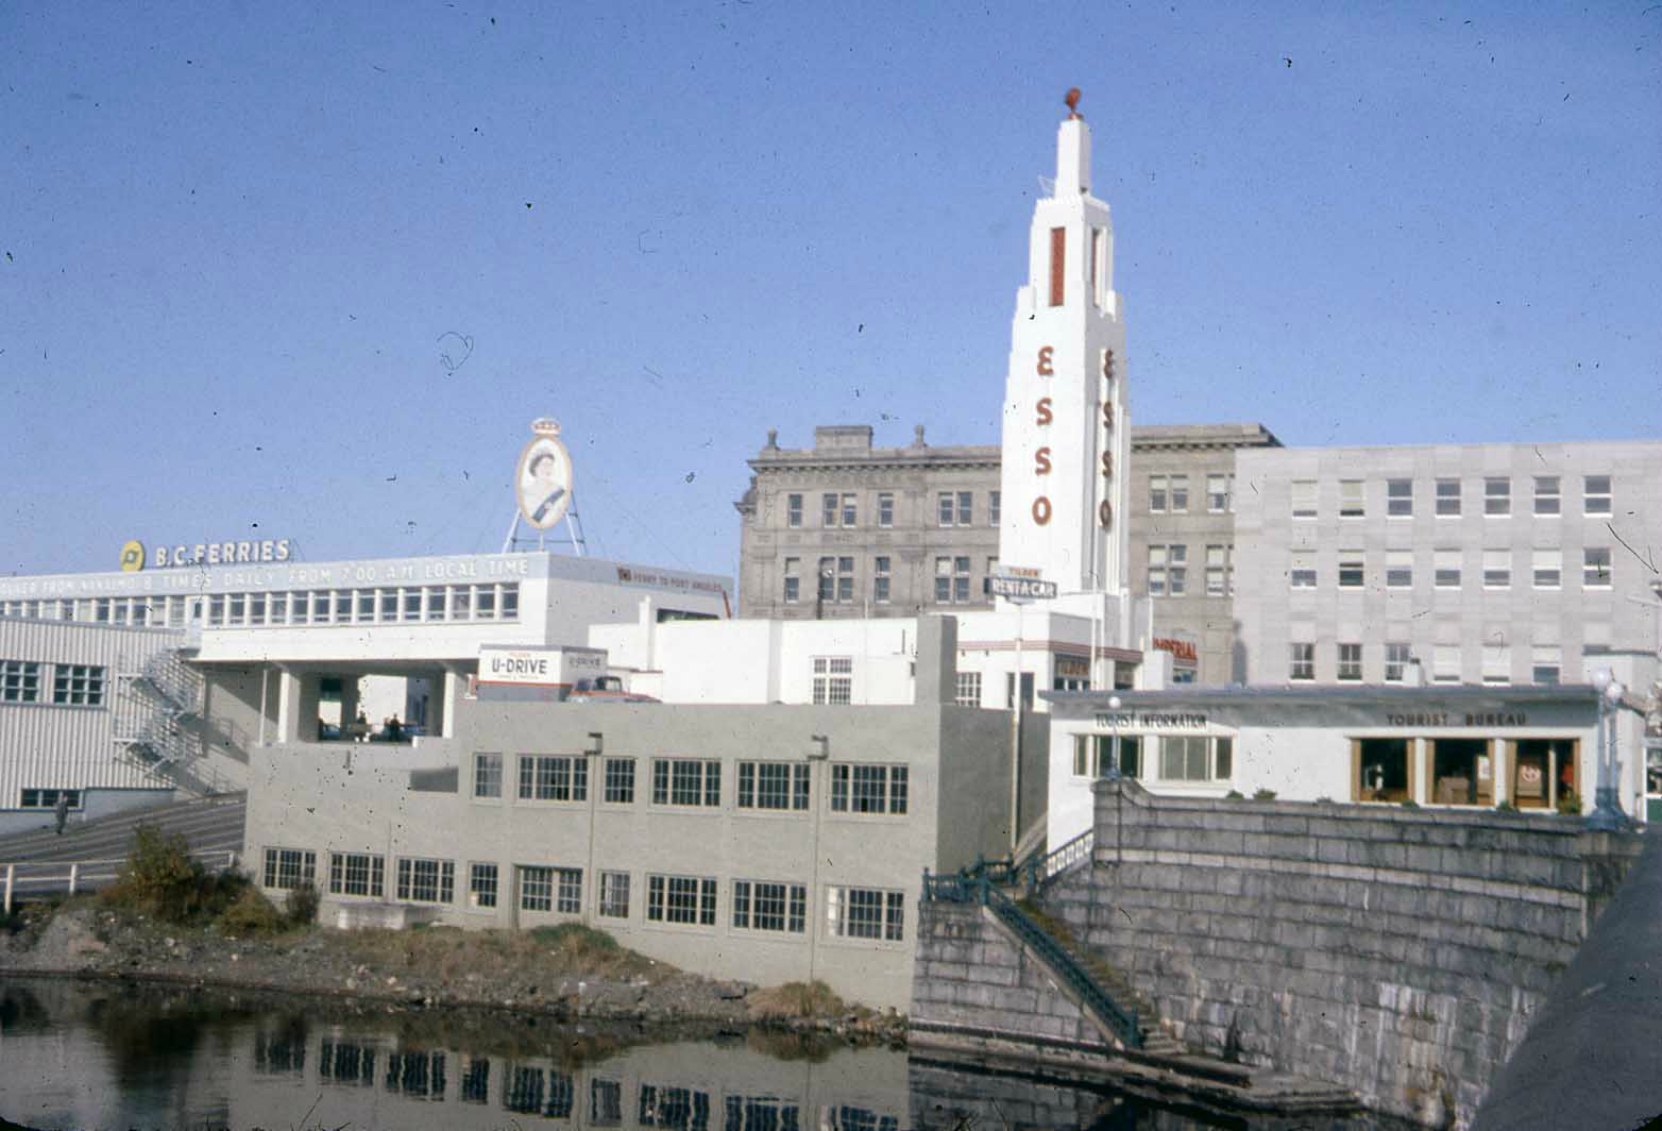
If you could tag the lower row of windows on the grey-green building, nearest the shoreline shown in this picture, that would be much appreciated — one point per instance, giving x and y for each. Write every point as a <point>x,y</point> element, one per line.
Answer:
<point>692,901</point>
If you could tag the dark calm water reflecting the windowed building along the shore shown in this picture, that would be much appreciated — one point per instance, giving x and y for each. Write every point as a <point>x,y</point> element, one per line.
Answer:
<point>77,1055</point>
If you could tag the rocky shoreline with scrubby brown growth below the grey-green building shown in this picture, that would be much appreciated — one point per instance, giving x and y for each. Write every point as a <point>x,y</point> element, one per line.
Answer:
<point>564,977</point>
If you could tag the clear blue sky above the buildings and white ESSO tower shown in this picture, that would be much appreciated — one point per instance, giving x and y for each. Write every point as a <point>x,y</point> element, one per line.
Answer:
<point>242,245</point>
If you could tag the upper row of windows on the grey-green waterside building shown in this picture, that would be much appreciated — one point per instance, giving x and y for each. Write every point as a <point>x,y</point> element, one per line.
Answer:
<point>697,783</point>
